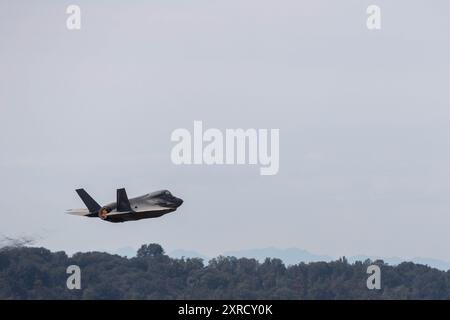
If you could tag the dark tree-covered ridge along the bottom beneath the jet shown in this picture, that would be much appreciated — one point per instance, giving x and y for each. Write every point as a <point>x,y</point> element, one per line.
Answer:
<point>37,273</point>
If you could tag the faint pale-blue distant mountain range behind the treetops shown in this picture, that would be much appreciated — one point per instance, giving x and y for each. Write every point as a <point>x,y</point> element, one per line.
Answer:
<point>292,256</point>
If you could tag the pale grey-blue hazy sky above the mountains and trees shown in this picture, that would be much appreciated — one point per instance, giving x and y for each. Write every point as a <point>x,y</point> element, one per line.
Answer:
<point>364,119</point>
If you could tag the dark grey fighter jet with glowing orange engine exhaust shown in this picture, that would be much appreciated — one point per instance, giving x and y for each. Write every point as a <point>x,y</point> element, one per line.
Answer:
<point>150,205</point>
